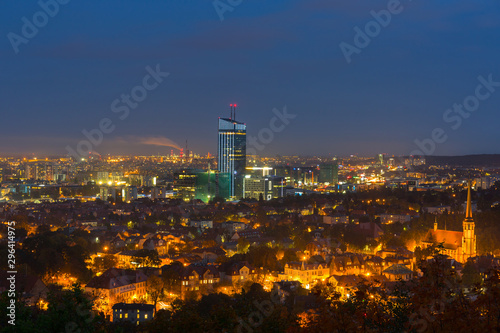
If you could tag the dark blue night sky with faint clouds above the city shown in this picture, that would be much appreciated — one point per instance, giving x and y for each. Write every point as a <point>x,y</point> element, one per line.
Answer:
<point>263,55</point>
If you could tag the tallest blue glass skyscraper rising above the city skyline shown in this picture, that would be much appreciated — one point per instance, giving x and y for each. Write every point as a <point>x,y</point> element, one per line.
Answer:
<point>231,154</point>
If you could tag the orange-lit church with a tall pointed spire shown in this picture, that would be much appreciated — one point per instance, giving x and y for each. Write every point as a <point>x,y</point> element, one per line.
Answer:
<point>460,245</point>
